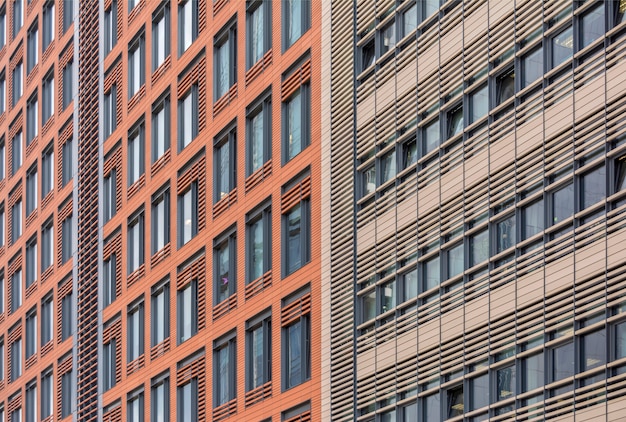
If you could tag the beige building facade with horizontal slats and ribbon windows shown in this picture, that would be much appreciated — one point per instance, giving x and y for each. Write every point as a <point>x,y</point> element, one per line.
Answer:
<point>487,145</point>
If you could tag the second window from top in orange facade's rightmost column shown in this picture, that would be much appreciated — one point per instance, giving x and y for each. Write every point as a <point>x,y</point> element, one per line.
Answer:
<point>296,123</point>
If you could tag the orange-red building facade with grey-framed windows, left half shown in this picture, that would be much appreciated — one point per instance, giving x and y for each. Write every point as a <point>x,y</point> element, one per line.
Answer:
<point>160,210</point>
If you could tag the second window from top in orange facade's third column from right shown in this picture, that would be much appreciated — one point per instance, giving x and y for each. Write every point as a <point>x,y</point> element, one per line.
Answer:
<point>224,164</point>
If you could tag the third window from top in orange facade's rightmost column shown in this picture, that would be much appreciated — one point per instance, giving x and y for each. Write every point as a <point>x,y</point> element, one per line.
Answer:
<point>296,237</point>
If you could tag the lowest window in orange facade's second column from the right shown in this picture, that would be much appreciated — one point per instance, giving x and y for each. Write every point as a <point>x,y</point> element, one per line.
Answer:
<point>259,350</point>
